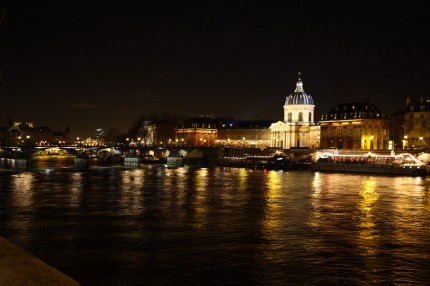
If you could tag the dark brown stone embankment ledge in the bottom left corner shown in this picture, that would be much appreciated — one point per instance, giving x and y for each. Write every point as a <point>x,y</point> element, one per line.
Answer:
<point>18,267</point>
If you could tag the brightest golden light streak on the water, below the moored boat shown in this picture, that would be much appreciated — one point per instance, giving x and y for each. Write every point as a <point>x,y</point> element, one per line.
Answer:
<point>367,234</point>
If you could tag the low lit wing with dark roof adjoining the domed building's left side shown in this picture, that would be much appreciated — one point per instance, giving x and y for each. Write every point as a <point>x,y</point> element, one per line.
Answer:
<point>244,133</point>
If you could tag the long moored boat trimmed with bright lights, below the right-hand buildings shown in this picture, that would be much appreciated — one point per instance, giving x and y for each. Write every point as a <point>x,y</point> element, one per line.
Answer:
<point>401,164</point>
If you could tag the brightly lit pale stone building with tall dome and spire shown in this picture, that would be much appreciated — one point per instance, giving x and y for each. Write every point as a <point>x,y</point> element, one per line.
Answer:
<point>295,130</point>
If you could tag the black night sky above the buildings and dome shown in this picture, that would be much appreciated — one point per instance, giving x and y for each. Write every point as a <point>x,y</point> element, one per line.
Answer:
<point>90,64</point>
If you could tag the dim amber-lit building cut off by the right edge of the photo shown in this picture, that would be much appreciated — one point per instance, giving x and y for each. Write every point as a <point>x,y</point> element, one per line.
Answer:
<point>417,123</point>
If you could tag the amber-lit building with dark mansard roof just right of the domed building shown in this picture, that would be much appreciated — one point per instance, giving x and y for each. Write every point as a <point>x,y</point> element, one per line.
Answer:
<point>355,126</point>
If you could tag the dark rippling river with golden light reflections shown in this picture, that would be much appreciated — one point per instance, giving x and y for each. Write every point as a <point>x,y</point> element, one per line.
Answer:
<point>154,225</point>
